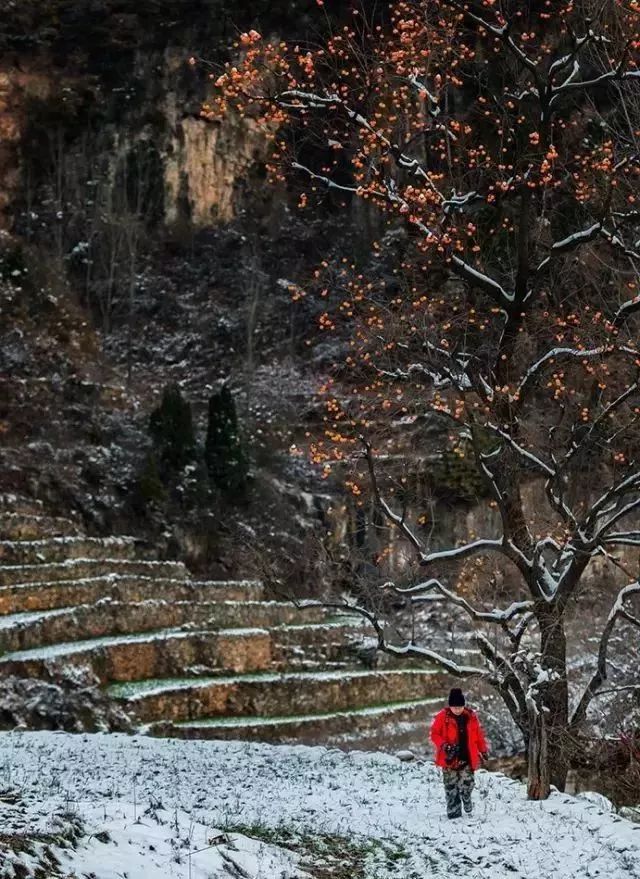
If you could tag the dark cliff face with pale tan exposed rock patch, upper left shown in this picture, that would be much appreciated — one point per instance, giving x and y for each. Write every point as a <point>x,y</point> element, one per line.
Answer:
<point>108,75</point>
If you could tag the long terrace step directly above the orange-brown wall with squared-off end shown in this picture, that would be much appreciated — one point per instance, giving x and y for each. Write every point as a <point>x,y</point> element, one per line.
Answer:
<point>24,631</point>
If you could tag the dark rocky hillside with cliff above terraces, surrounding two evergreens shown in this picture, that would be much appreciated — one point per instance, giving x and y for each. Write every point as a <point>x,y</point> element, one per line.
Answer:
<point>139,250</point>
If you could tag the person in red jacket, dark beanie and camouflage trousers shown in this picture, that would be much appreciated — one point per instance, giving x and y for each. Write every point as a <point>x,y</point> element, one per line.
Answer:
<point>460,746</point>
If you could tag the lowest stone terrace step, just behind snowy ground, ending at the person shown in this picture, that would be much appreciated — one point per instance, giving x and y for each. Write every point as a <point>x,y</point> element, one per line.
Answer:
<point>388,726</point>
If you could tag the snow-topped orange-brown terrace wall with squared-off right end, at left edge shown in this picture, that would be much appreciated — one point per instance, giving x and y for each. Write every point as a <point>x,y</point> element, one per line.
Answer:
<point>149,655</point>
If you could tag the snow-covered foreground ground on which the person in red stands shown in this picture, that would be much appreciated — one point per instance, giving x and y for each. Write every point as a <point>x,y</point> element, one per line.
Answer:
<point>131,807</point>
